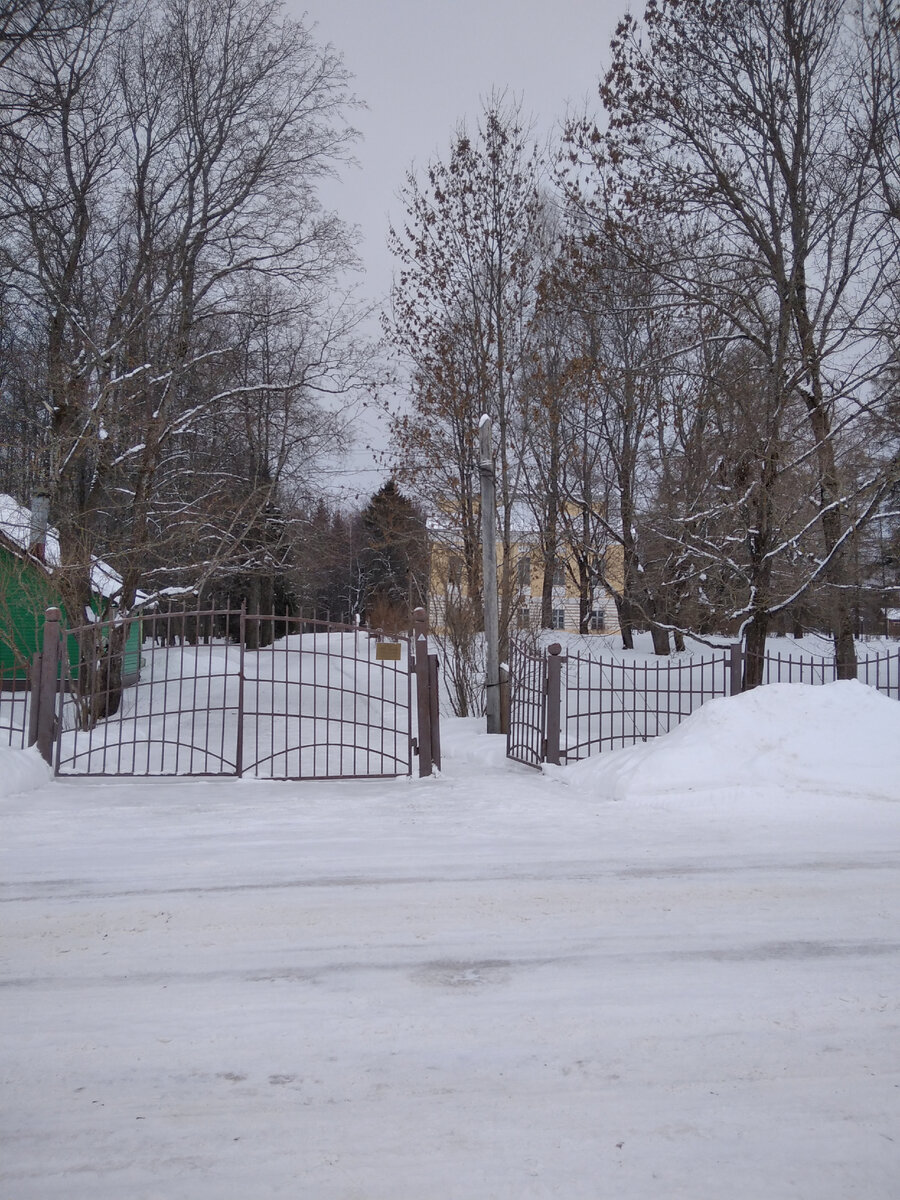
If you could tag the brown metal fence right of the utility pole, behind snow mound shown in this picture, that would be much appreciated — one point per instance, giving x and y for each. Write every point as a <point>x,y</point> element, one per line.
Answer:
<point>568,707</point>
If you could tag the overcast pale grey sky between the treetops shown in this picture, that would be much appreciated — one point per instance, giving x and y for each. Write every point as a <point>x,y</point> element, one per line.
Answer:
<point>422,67</point>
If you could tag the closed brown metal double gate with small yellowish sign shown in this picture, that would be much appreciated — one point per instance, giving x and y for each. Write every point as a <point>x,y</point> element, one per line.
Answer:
<point>227,693</point>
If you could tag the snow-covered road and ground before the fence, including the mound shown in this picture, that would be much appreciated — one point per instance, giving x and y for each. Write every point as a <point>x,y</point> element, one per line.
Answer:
<point>491,985</point>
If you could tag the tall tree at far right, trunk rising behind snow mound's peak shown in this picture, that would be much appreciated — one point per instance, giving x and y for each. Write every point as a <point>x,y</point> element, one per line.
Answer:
<point>741,116</point>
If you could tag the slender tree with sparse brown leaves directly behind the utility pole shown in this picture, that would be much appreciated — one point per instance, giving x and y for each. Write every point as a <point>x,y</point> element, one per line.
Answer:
<point>469,256</point>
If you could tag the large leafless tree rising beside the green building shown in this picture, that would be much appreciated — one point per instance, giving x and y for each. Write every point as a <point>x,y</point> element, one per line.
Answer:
<point>160,190</point>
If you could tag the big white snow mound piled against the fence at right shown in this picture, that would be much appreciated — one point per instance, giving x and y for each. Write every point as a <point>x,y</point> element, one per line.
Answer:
<point>843,739</point>
